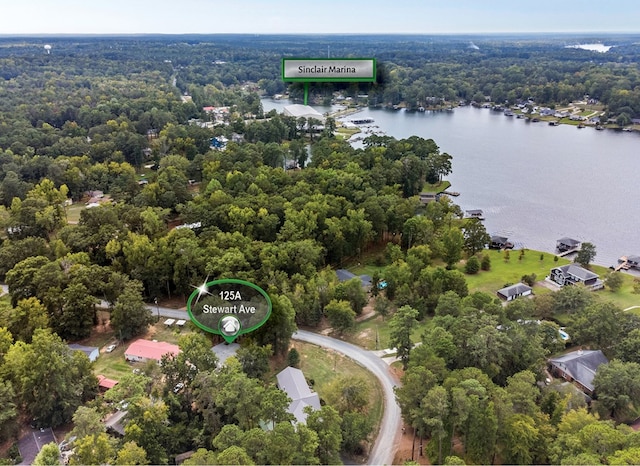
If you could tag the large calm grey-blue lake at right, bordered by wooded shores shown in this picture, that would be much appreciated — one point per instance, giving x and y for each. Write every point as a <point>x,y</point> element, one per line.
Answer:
<point>535,183</point>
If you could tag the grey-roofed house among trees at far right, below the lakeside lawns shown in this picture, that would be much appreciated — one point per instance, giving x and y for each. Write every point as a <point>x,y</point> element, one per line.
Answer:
<point>579,367</point>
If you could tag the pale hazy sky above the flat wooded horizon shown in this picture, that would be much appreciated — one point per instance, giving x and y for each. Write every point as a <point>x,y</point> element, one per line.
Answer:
<point>319,16</point>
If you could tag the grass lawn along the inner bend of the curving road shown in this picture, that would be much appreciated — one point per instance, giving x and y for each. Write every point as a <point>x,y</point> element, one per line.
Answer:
<point>323,366</point>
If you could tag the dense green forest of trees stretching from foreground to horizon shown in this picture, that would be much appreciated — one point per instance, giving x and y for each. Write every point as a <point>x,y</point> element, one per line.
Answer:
<point>110,115</point>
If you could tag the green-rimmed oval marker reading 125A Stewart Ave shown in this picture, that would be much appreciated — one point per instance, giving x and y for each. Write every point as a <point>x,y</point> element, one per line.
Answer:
<point>229,307</point>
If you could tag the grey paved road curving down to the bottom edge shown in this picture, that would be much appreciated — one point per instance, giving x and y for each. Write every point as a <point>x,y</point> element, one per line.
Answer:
<point>383,450</point>
